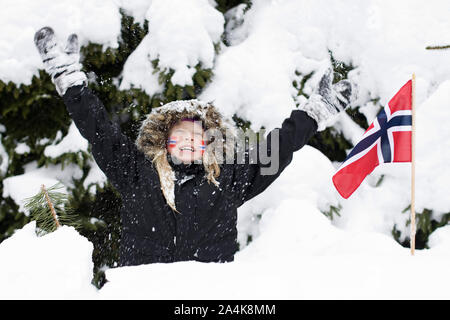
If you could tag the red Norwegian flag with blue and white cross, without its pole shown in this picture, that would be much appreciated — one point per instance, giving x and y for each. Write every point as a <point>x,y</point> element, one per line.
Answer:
<point>388,139</point>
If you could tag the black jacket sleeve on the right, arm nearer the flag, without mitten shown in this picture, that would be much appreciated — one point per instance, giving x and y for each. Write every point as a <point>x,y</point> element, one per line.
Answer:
<point>250,179</point>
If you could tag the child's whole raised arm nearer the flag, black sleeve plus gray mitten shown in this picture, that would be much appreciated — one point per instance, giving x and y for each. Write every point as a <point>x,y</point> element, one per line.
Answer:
<point>250,179</point>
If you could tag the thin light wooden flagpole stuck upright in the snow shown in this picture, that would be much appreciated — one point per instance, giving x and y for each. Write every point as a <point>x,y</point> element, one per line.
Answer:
<point>413,164</point>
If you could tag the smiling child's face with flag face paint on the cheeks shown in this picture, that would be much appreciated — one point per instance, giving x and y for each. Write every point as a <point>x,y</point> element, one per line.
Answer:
<point>186,141</point>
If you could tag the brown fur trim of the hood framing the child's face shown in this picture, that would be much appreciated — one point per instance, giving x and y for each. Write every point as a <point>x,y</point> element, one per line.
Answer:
<point>154,133</point>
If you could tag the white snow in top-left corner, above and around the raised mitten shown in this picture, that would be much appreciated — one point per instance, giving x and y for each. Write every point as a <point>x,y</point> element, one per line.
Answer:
<point>20,19</point>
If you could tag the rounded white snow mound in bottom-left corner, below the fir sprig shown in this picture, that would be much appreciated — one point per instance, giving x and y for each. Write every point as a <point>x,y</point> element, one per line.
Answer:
<point>54,266</point>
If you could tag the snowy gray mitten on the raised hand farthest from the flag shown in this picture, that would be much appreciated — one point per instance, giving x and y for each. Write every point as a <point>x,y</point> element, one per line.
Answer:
<point>62,64</point>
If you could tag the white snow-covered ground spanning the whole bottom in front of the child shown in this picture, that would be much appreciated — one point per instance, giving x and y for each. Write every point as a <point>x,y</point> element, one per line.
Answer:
<point>299,255</point>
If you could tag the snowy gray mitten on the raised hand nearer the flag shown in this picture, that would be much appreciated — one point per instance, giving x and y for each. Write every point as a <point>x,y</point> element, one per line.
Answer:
<point>329,100</point>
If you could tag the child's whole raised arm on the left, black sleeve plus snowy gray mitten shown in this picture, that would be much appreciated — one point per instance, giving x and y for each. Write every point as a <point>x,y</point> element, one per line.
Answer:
<point>116,155</point>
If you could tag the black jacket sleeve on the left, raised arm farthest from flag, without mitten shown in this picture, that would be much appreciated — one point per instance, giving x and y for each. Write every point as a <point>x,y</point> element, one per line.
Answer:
<point>115,153</point>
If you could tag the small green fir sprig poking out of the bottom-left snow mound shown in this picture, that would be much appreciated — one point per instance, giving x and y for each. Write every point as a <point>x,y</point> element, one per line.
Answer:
<point>50,209</point>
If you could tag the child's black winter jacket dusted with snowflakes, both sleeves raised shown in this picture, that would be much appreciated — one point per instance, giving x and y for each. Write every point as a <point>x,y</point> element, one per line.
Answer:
<point>205,229</point>
